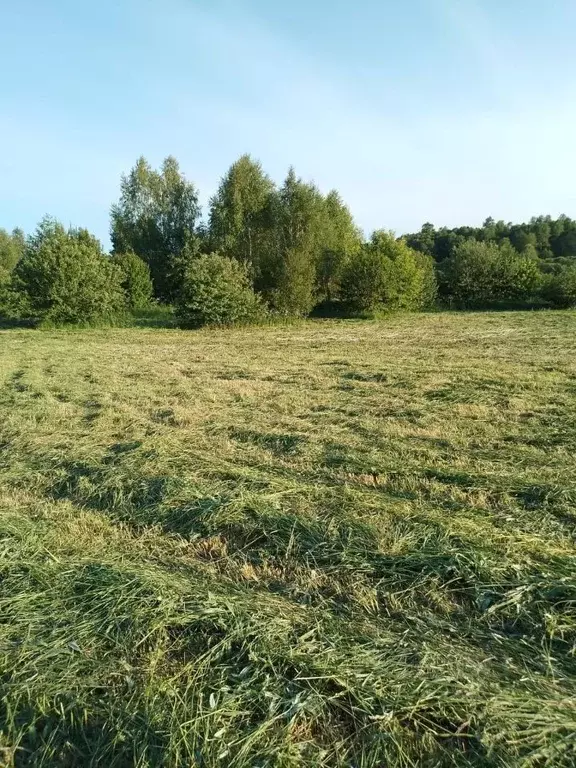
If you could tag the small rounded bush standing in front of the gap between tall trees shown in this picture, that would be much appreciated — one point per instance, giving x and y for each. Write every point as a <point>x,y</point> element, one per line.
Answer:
<point>216,291</point>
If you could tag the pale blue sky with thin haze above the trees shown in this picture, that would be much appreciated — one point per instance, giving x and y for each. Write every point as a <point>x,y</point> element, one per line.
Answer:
<point>415,110</point>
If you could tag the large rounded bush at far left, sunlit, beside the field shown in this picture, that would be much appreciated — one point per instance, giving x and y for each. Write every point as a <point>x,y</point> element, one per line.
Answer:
<point>64,277</point>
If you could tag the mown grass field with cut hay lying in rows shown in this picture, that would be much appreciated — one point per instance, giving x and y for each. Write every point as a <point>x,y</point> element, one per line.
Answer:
<point>328,544</point>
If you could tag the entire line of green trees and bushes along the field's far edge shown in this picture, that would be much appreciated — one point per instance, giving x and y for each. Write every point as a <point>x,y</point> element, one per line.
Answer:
<point>267,250</point>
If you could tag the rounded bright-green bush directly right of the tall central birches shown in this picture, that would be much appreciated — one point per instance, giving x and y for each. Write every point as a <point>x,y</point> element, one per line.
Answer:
<point>387,274</point>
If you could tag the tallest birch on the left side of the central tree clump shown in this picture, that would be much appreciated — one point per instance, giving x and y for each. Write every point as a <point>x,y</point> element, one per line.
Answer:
<point>238,222</point>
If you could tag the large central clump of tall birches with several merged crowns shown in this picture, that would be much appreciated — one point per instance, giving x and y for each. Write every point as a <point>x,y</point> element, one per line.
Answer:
<point>293,240</point>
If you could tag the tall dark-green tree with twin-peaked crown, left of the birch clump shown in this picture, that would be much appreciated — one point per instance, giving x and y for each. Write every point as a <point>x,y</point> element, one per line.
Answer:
<point>156,217</point>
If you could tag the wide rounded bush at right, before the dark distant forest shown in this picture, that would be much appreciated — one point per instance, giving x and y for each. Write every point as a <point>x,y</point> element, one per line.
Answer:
<point>479,274</point>
